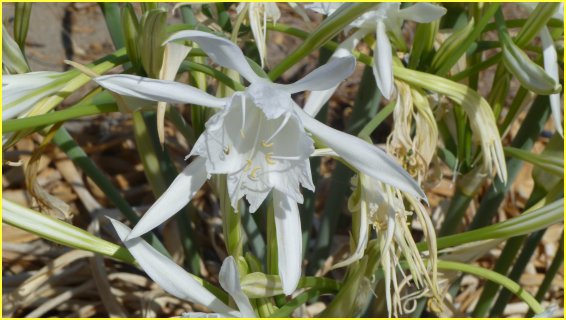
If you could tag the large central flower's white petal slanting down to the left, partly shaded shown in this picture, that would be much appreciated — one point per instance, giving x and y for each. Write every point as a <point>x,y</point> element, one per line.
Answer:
<point>179,193</point>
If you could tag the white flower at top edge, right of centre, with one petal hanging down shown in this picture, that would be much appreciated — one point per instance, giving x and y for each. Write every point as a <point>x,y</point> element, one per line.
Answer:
<point>388,17</point>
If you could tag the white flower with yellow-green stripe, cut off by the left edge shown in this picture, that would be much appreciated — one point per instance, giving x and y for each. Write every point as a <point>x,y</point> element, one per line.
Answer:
<point>20,92</point>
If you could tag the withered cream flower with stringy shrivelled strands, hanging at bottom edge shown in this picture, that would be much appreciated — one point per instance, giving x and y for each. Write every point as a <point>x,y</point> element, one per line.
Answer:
<point>382,207</point>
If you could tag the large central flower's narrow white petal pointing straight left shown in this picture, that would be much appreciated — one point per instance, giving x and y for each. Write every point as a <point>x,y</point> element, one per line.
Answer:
<point>158,90</point>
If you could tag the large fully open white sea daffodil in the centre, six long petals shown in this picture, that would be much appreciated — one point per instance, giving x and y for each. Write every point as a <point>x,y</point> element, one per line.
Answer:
<point>258,140</point>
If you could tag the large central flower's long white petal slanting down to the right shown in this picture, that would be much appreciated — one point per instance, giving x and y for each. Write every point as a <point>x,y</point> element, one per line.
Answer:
<point>363,156</point>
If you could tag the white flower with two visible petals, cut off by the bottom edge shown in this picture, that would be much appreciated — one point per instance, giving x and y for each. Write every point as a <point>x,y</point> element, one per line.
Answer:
<point>181,284</point>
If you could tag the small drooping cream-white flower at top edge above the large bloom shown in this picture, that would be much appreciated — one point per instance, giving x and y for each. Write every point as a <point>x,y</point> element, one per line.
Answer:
<point>258,15</point>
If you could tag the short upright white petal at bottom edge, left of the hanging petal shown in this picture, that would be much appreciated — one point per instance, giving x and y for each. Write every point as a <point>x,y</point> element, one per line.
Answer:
<point>229,278</point>
